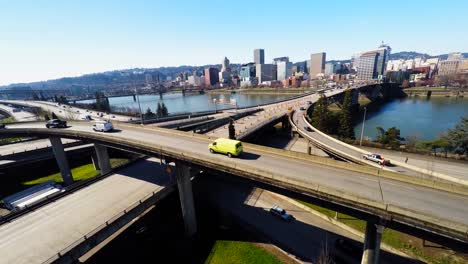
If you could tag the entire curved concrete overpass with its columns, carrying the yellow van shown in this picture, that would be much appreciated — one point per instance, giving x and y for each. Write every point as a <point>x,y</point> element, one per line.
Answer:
<point>435,210</point>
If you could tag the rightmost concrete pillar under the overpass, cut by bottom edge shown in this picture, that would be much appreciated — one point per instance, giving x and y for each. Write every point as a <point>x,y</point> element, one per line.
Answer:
<point>372,240</point>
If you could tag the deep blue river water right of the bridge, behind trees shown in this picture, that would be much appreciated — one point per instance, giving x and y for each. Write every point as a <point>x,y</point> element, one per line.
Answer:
<point>416,116</point>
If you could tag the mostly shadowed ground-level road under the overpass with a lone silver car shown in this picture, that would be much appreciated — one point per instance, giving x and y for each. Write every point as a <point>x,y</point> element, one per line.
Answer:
<point>304,237</point>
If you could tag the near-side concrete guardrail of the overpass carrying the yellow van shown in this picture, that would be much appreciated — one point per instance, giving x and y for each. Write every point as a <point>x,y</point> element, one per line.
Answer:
<point>455,231</point>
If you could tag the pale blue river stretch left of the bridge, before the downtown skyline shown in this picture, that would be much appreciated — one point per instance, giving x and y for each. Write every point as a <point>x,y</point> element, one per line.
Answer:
<point>177,103</point>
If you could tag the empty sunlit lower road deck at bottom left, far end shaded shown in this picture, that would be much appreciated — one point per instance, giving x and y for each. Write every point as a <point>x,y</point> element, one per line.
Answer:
<point>41,234</point>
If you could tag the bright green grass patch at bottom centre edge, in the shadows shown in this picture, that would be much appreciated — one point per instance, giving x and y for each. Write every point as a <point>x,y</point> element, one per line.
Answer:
<point>225,251</point>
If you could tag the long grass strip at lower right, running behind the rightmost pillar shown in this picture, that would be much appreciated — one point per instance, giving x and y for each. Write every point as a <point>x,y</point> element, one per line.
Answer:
<point>390,237</point>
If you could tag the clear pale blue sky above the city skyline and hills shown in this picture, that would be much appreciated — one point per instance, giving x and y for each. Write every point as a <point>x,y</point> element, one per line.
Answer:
<point>42,40</point>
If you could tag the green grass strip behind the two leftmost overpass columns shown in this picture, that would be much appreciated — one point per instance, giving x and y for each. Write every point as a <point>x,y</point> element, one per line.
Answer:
<point>80,173</point>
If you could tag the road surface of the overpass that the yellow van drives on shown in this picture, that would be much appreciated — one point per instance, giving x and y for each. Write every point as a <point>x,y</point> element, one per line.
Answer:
<point>419,199</point>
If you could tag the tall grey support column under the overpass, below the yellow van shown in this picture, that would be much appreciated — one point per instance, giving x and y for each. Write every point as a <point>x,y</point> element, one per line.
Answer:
<point>186,198</point>
